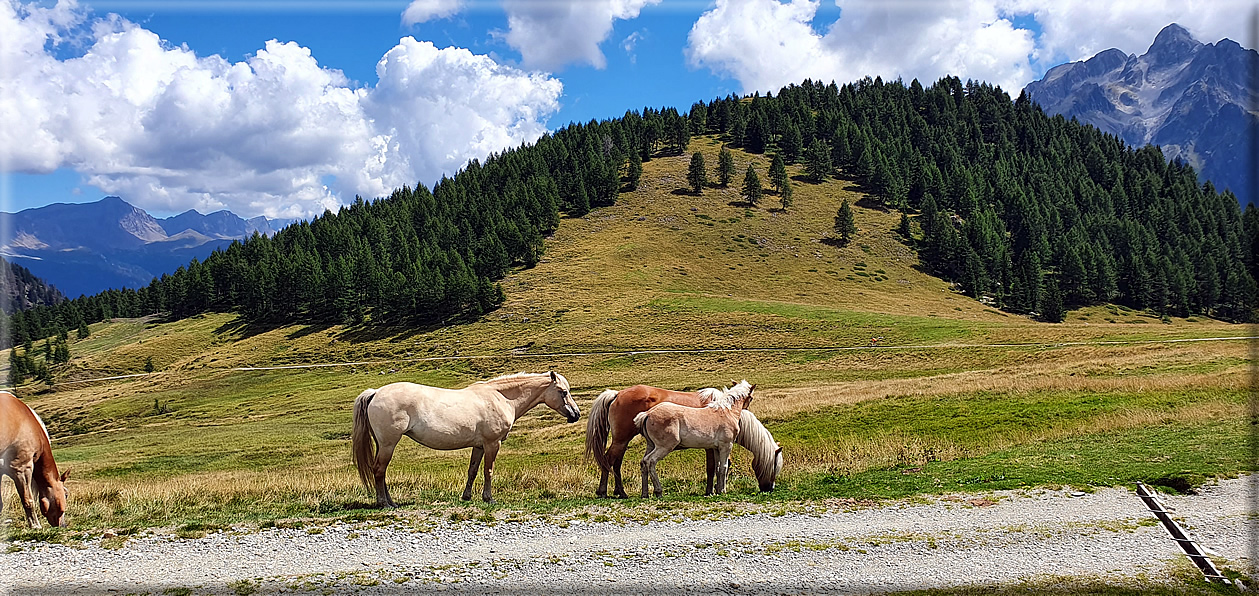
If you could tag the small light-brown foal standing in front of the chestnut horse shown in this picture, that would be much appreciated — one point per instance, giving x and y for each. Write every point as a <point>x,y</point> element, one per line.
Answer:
<point>669,427</point>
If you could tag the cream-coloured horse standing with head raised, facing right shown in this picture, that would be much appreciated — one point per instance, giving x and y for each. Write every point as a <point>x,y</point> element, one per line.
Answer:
<point>478,416</point>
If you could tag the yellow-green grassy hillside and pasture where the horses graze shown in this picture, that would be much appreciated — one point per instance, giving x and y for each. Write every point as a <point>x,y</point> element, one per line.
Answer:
<point>877,379</point>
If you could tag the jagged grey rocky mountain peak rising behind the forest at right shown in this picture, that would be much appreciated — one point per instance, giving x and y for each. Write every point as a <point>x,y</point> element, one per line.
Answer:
<point>1190,99</point>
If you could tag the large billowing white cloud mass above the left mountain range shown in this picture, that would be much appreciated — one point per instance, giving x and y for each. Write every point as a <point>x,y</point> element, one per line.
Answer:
<point>275,134</point>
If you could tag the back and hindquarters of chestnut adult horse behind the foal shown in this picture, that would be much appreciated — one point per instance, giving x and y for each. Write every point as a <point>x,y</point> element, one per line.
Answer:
<point>613,415</point>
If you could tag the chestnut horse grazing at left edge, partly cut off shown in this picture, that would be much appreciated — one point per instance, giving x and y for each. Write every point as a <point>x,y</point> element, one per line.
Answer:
<point>27,458</point>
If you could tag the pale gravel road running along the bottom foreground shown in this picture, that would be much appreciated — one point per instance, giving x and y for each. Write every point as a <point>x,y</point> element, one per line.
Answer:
<point>959,540</point>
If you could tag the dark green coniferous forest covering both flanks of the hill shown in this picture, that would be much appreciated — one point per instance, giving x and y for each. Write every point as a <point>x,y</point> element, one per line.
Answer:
<point>1032,214</point>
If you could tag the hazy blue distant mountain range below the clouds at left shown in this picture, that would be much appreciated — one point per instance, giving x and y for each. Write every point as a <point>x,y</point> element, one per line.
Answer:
<point>89,248</point>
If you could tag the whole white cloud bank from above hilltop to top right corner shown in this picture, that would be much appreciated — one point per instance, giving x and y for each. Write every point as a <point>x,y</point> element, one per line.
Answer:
<point>766,45</point>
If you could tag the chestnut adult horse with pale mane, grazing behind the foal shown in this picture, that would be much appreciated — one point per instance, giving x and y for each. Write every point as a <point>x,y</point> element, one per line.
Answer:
<point>613,418</point>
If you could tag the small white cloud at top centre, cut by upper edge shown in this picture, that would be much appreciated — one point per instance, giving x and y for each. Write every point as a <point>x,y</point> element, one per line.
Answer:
<point>553,33</point>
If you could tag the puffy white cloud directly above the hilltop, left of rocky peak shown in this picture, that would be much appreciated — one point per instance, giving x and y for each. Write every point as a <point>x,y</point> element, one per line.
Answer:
<point>766,45</point>
